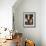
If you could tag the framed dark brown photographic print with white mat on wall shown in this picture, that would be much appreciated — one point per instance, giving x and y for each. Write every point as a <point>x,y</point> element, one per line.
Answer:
<point>29,19</point>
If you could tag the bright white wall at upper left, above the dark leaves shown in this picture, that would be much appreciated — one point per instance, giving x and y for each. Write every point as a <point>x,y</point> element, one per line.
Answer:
<point>6,13</point>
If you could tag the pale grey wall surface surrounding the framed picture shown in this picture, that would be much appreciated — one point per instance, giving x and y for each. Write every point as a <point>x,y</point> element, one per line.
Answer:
<point>28,6</point>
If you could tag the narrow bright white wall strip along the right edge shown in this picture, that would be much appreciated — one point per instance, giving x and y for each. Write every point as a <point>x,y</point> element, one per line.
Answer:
<point>43,22</point>
